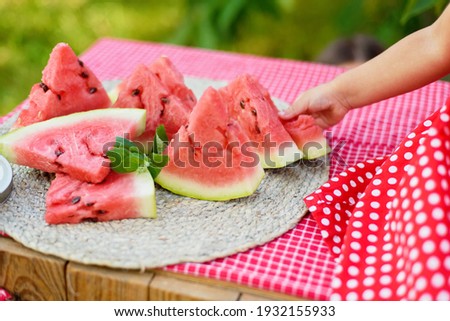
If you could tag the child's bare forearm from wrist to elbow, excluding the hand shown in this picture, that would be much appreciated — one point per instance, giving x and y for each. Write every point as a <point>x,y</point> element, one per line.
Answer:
<point>411,63</point>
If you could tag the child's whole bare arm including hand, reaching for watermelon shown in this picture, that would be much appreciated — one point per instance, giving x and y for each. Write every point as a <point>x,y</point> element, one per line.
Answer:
<point>416,60</point>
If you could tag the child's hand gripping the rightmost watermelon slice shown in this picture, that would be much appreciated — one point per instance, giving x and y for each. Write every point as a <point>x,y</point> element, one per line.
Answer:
<point>322,103</point>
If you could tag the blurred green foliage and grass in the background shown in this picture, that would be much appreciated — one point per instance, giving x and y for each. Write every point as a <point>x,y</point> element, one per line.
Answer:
<point>294,29</point>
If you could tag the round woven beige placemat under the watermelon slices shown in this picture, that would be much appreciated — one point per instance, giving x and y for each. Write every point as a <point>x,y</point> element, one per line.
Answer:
<point>186,230</point>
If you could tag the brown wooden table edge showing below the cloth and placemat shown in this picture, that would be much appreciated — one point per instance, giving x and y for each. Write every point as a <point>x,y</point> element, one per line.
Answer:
<point>35,276</point>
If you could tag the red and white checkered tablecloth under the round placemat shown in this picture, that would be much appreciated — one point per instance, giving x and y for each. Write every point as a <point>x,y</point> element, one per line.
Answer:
<point>297,263</point>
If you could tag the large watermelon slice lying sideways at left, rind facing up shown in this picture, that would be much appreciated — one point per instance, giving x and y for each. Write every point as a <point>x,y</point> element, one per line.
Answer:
<point>74,144</point>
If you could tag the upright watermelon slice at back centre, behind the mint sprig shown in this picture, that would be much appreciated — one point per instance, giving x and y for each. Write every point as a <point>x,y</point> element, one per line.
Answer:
<point>159,89</point>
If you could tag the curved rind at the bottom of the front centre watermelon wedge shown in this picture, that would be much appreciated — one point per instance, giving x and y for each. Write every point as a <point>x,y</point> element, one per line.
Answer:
<point>193,189</point>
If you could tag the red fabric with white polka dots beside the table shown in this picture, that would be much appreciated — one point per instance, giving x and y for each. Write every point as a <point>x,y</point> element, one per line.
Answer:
<point>387,220</point>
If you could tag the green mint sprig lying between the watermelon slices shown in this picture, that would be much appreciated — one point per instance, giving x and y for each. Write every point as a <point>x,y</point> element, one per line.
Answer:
<point>126,157</point>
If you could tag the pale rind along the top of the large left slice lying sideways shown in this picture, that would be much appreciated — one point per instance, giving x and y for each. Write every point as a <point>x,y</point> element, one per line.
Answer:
<point>7,141</point>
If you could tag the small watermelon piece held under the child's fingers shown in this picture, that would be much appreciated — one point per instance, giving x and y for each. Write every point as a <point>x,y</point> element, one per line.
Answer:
<point>308,136</point>
